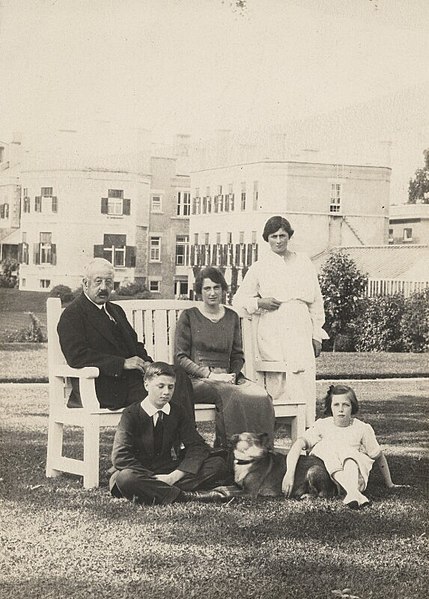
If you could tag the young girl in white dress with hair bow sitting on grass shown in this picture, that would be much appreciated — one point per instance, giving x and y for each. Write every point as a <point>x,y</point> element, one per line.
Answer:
<point>347,446</point>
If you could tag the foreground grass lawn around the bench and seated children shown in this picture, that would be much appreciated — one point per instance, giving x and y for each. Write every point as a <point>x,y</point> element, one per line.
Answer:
<point>61,541</point>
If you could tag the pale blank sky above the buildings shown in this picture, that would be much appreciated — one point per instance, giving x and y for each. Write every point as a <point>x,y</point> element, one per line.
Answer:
<point>336,75</point>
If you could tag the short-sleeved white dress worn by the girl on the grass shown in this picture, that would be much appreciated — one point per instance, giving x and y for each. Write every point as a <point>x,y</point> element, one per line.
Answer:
<point>335,444</point>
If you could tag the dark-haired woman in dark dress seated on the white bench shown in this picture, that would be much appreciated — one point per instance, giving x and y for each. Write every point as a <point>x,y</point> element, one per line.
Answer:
<point>208,347</point>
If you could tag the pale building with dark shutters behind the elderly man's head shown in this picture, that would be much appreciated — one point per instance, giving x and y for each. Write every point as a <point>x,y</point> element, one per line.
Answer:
<point>69,216</point>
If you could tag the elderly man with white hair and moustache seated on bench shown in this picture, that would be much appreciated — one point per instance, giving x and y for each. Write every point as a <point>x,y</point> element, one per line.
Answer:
<point>95,332</point>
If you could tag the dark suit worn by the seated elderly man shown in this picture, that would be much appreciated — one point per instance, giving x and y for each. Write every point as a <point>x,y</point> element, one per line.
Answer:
<point>88,338</point>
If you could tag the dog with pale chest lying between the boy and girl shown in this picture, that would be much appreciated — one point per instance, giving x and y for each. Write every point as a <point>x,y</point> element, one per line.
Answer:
<point>259,471</point>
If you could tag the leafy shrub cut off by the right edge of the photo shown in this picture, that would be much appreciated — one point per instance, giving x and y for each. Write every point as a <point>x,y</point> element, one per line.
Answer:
<point>415,322</point>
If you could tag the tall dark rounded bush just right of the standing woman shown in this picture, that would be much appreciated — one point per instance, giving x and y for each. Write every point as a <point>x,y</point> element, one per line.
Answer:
<point>343,287</point>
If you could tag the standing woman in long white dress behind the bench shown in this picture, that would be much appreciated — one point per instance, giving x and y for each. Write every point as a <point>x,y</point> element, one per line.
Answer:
<point>283,288</point>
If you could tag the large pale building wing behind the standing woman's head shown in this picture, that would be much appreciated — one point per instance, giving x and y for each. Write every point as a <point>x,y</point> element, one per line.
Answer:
<point>327,205</point>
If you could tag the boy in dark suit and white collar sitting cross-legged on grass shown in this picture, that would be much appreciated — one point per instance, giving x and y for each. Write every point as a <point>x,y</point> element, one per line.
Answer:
<point>149,466</point>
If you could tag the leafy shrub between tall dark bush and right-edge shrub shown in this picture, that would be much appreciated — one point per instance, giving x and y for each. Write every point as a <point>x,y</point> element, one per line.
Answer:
<point>378,327</point>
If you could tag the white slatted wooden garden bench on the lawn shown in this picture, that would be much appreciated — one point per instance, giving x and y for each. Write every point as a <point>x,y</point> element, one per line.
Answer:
<point>155,324</point>
